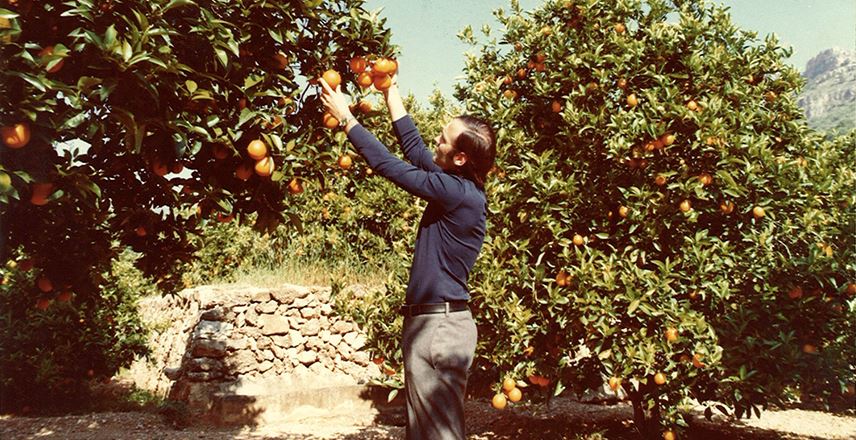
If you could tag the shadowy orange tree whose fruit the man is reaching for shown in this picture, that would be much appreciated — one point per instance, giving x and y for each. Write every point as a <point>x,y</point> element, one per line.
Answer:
<point>125,124</point>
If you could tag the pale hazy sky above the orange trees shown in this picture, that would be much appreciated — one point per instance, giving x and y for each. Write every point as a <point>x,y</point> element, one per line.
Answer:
<point>432,56</point>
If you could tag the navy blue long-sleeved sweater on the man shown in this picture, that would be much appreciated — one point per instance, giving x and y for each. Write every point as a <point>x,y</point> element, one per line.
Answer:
<point>451,232</point>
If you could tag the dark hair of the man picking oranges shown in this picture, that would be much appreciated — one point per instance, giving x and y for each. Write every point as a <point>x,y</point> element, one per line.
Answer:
<point>478,142</point>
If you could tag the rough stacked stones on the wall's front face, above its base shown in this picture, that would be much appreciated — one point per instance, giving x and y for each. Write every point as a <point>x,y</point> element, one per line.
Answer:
<point>276,332</point>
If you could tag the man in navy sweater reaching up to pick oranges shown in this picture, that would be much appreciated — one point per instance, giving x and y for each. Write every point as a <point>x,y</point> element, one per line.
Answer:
<point>439,337</point>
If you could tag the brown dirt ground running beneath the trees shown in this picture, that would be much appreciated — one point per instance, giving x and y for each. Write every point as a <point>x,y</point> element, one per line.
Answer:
<point>564,419</point>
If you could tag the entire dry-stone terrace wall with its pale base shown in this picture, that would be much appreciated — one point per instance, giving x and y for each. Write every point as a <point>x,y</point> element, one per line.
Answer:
<point>217,344</point>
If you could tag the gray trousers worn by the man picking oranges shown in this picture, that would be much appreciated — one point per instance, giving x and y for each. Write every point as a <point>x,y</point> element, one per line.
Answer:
<point>438,351</point>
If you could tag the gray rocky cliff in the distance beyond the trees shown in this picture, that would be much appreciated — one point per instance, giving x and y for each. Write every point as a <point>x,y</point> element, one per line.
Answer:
<point>829,97</point>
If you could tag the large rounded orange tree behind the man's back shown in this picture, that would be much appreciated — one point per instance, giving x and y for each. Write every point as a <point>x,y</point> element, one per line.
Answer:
<point>660,214</point>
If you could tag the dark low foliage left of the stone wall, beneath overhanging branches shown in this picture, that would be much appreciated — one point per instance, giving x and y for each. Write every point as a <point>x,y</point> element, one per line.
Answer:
<point>55,346</point>
